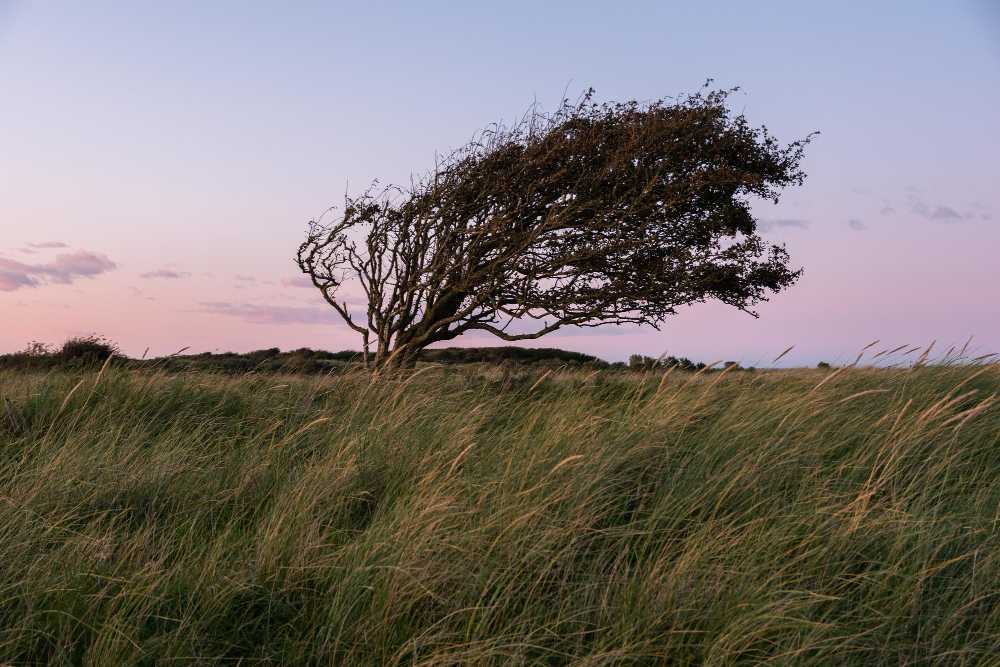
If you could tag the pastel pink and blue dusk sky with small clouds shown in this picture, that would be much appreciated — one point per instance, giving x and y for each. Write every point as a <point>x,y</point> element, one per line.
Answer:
<point>159,161</point>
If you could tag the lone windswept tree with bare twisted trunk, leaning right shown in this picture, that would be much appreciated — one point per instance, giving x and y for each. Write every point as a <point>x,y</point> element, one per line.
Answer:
<point>596,214</point>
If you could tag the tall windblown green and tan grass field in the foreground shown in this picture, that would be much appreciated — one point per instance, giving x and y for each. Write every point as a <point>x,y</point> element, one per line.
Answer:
<point>477,516</point>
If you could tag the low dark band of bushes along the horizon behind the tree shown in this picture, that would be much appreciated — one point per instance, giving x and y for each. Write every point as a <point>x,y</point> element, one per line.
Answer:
<point>94,350</point>
